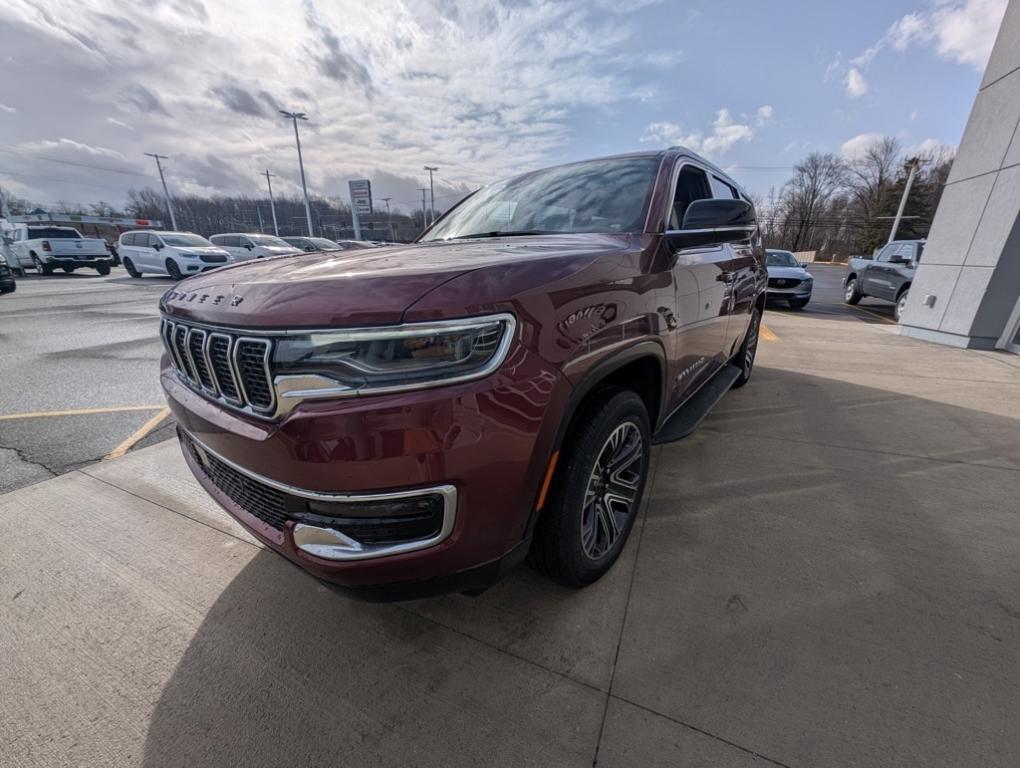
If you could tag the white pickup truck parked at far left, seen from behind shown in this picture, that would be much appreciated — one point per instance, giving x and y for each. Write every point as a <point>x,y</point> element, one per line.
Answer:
<point>46,248</point>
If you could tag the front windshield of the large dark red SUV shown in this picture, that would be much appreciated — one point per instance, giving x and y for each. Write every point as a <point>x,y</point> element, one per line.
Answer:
<point>601,196</point>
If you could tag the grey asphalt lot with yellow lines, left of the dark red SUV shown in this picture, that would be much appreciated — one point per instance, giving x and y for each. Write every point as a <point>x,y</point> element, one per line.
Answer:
<point>79,379</point>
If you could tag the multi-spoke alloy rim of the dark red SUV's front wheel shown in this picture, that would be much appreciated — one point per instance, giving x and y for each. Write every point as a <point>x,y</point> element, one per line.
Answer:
<point>613,490</point>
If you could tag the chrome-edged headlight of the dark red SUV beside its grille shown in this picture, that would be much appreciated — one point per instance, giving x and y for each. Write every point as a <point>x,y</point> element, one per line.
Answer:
<point>400,357</point>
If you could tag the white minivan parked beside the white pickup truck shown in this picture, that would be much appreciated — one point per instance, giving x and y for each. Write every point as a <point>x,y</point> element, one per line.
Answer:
<point>175,253</point>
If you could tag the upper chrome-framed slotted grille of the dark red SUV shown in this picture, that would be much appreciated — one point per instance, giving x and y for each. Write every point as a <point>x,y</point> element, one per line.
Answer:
<point>222,365</point>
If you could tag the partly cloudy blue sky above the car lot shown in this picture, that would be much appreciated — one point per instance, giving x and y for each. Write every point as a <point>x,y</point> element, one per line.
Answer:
<point>481,88</point>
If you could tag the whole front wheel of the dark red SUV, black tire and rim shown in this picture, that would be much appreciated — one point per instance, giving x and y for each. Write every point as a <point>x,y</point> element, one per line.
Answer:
<point>579,537</point>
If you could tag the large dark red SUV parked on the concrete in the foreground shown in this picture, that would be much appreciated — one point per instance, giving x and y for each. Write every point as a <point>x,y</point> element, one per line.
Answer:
<point>416,420</point>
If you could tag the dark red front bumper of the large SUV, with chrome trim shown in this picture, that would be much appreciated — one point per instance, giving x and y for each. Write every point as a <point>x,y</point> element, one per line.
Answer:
<point>488,441</point>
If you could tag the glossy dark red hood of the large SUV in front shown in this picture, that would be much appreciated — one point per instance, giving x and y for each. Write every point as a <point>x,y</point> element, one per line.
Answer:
<point>371,287</point>
